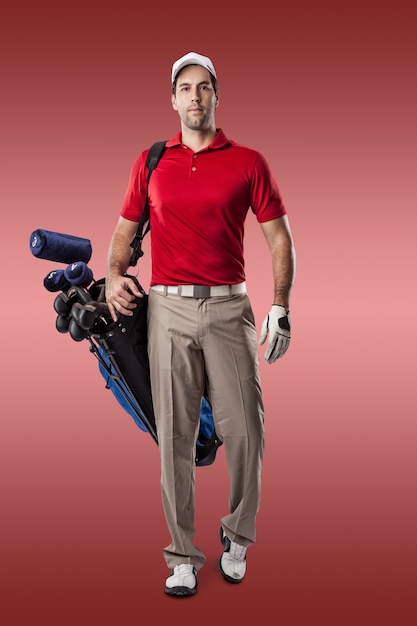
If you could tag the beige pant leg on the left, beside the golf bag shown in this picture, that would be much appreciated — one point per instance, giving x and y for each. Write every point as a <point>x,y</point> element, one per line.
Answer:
<point>177,379</point>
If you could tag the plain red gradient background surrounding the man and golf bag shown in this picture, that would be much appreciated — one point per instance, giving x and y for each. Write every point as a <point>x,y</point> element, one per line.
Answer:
<point>327,92</point>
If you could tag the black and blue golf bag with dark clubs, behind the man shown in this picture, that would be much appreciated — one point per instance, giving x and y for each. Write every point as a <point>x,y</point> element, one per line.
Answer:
<point>121,350</point>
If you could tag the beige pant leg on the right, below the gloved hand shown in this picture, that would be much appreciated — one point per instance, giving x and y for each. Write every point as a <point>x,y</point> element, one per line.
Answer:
<point>230,349</point>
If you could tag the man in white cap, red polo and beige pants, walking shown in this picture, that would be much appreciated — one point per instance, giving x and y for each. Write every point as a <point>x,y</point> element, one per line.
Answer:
<point>201,330</point>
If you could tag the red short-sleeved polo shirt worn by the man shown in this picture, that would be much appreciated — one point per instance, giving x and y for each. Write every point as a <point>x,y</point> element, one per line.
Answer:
<point>198,204</point>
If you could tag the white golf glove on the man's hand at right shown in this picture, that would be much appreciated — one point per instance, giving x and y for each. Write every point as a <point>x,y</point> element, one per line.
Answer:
<point>277,324</point>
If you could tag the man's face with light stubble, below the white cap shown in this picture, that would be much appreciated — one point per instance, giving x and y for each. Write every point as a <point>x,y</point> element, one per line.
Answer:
<point>195,98</point>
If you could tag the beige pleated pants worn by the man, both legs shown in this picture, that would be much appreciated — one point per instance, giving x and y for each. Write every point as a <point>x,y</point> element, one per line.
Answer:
<point>193,343</point>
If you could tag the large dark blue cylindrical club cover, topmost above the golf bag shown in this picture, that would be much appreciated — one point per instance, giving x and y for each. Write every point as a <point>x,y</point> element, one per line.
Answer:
<point>58,247</point>
